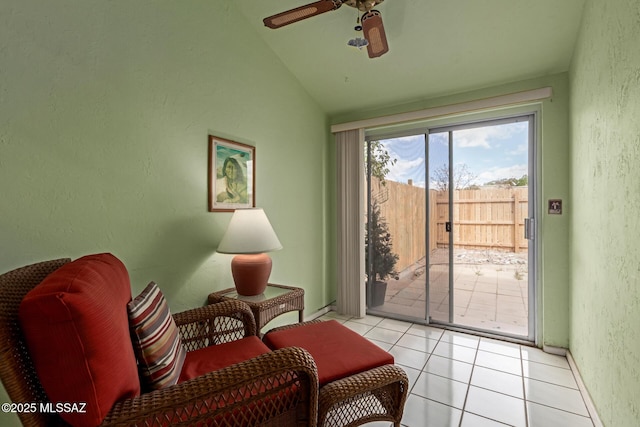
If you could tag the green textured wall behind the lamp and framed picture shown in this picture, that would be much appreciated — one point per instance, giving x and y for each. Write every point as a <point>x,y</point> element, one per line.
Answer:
<point>105,108</point>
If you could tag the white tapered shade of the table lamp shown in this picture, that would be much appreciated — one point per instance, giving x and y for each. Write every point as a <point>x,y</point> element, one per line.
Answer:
<point>249,232</point>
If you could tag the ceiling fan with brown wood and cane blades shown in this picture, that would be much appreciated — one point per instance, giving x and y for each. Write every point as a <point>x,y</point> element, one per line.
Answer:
<point>371,20</point>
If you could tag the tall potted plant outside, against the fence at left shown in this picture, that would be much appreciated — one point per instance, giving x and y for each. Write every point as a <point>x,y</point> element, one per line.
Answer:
<point>379,258</point>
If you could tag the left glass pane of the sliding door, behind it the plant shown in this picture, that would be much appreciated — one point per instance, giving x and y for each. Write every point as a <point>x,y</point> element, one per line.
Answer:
<point>396,226</point>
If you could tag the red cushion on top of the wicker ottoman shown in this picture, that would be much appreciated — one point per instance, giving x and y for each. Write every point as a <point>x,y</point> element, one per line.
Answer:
<point>337,350</point>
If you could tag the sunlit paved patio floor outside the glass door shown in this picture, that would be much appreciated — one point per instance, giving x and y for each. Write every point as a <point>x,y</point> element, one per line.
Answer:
<point>490,290</point>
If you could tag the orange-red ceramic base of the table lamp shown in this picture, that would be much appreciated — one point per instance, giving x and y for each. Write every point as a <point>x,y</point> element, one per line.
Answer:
<point>251,273</point>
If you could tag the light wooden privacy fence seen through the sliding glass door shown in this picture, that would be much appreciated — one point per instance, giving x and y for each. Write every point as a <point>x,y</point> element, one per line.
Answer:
<point>485,218</point>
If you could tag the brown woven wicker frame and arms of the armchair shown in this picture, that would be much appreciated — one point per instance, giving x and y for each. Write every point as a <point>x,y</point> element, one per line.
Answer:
<point>283,383</point>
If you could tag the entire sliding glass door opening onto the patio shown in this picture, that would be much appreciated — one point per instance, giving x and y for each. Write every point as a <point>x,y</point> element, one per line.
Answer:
<point>445,226</point>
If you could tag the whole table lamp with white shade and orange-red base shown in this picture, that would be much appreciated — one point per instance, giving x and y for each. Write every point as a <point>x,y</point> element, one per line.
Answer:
<point>249,235</point>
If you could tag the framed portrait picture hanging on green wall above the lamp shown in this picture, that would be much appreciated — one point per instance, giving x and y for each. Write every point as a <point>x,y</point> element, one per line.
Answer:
<point>232,168</point>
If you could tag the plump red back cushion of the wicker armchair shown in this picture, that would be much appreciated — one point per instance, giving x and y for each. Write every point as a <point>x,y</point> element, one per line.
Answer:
<point>77,330</point>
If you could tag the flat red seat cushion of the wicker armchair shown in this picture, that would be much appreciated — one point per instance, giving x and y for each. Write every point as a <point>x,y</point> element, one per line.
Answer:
<point>212,358</point>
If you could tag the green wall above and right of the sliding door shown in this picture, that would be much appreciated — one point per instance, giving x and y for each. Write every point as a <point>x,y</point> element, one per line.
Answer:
<point>553,176</point>
